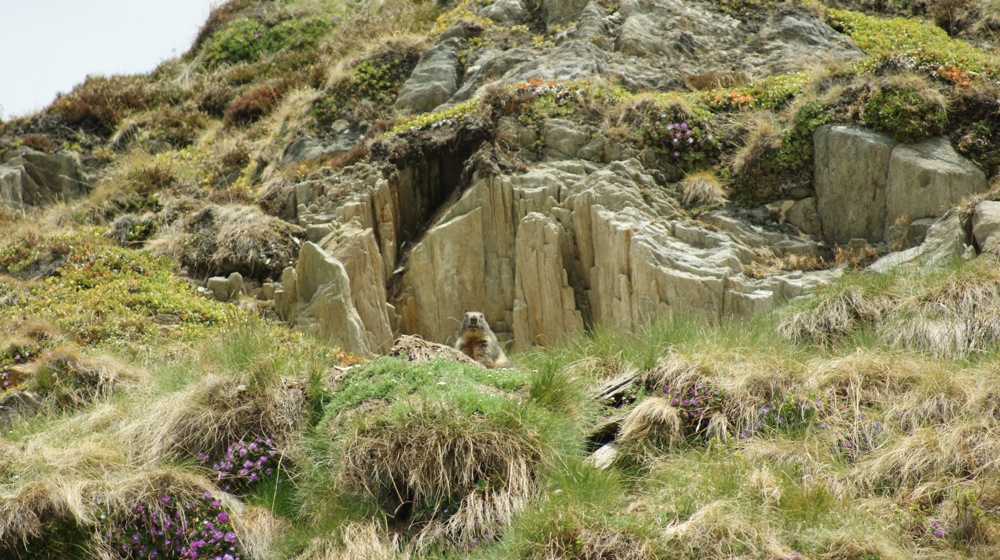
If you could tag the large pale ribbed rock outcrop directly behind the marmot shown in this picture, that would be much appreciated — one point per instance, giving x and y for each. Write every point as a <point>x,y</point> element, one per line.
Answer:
<point>615,252</point>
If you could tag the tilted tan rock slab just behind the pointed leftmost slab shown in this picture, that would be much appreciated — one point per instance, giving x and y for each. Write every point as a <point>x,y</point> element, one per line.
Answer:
<point>355,247</point>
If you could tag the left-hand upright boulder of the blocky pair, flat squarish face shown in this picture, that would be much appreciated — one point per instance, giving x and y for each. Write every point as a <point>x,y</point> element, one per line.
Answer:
<point>851,174</point>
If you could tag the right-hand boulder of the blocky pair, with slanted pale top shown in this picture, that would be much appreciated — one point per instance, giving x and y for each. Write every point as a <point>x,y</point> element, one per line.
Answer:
<point>928,179</point>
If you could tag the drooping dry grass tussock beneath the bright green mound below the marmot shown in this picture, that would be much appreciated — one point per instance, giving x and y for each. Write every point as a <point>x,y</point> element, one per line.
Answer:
<point>421,462</point>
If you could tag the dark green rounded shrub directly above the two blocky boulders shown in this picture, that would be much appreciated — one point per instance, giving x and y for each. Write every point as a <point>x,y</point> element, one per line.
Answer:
<point>906,114</point>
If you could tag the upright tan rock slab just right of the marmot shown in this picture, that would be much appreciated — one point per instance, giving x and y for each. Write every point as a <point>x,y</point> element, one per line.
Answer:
<point>544,304</point>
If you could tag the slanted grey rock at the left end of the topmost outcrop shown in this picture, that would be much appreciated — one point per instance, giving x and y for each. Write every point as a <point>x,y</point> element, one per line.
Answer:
<point>433,81</point>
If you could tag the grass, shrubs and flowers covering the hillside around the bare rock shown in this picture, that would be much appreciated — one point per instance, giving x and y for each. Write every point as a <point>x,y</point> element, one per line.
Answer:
<point>140,418</point>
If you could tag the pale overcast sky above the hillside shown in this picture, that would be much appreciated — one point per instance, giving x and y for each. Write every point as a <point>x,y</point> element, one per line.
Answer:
<point>48,46</point>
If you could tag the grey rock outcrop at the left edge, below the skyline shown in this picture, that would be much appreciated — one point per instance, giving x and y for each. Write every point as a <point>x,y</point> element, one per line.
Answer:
<point>32,178</point>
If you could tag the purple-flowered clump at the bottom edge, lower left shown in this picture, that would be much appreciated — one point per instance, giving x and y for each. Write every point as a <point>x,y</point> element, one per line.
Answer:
<point>200,528</point>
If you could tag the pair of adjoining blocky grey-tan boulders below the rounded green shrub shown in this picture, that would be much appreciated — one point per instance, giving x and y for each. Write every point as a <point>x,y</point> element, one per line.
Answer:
<point>868,187</point>
